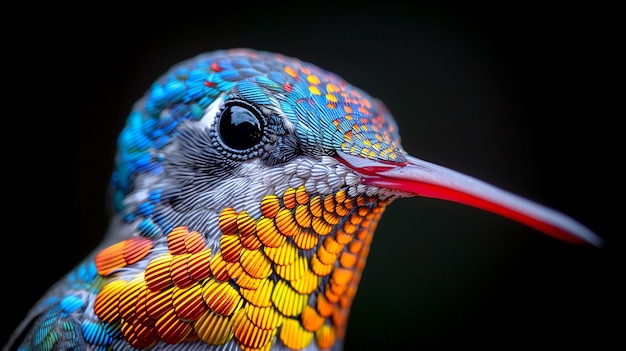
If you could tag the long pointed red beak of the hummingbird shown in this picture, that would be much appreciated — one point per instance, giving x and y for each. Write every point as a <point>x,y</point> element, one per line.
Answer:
<point>430,180</point>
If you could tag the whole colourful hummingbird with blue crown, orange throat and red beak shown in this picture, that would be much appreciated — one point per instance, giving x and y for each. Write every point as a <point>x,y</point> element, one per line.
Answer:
<point>246,190</point>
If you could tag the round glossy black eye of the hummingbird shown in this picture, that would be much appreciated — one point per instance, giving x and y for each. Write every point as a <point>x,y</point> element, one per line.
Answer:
<point>240,127</point>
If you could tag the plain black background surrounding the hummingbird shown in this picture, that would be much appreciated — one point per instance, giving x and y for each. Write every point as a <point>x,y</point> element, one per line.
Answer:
<point>521,96</point>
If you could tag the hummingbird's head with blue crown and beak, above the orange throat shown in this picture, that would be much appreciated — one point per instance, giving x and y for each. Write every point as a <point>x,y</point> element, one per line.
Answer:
<point>228,128</point>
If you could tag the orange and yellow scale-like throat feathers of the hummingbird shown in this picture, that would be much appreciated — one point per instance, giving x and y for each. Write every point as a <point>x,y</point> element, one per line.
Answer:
<point>288,276</point>
